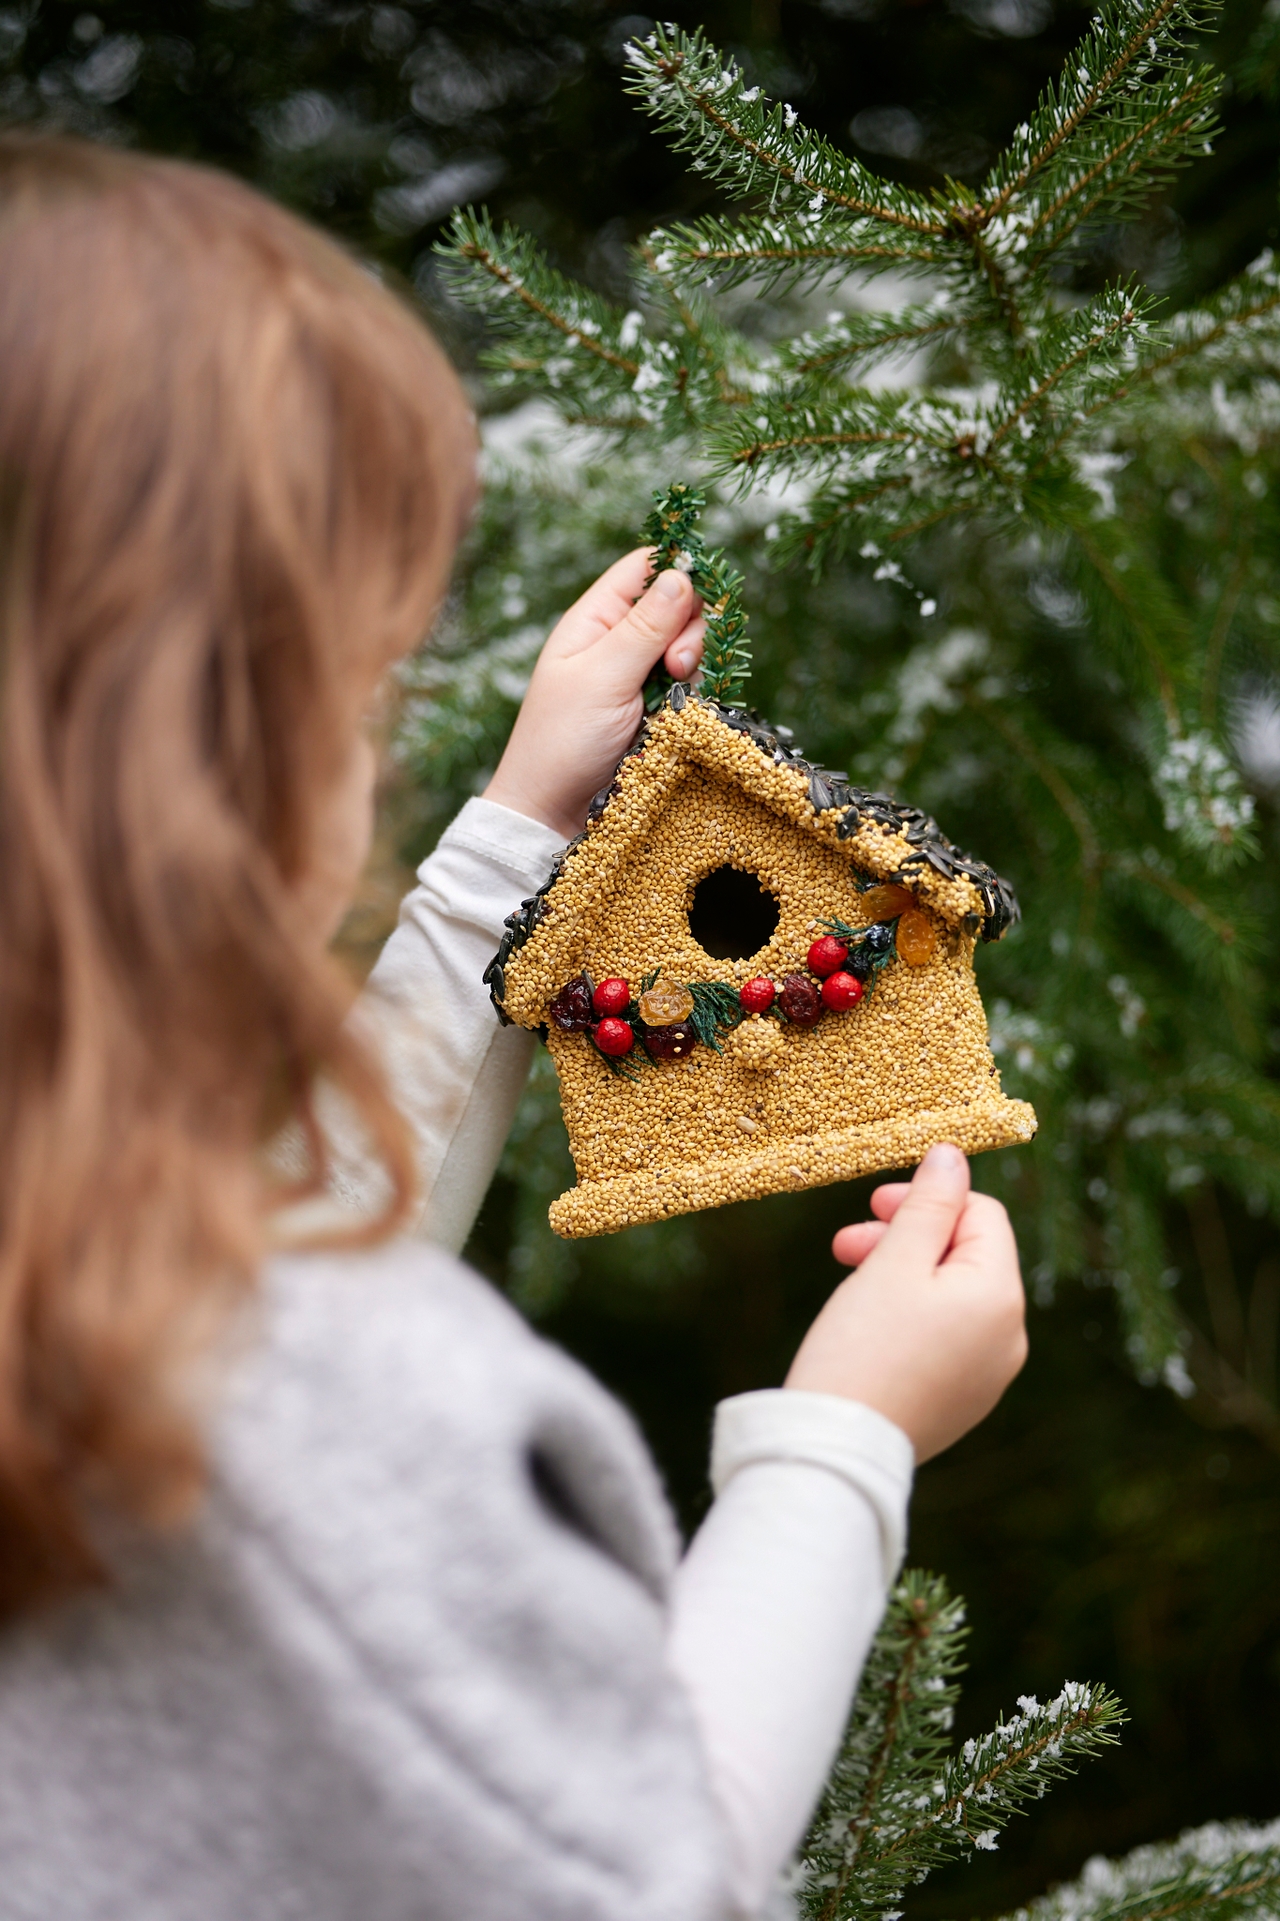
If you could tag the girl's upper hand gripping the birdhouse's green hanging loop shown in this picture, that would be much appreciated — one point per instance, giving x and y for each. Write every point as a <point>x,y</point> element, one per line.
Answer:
<point>585,696</point>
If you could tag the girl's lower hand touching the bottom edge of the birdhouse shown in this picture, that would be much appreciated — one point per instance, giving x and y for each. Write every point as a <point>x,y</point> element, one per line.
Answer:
<point>933,1325</point>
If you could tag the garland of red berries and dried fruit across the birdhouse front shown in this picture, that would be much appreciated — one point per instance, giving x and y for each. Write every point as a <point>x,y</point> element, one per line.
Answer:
<point>664,1019</point>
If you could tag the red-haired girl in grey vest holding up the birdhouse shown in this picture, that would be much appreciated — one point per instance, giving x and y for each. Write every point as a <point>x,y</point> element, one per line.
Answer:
<point>328,1588</point>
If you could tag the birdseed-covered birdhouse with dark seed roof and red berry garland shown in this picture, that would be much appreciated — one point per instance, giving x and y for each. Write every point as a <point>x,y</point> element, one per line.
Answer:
<point>752,979</point>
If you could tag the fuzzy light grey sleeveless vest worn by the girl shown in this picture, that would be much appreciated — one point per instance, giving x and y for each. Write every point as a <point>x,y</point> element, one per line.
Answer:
<point>410,1665</point>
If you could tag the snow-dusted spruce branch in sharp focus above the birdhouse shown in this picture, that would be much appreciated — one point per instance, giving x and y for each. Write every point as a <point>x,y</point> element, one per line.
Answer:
<point>897,466</point>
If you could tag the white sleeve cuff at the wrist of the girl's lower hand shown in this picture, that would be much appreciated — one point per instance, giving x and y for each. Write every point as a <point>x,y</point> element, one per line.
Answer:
<point>847,1438</point>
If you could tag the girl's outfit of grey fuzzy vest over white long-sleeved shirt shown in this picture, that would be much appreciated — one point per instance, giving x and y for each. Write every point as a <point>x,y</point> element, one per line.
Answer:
<point>428,1651</point>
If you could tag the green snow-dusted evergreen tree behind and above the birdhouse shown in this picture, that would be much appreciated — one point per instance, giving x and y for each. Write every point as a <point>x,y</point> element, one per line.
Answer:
<point>1039,591</point>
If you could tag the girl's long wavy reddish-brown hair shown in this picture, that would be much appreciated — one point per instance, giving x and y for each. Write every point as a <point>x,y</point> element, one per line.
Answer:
<point>232,477</point>
